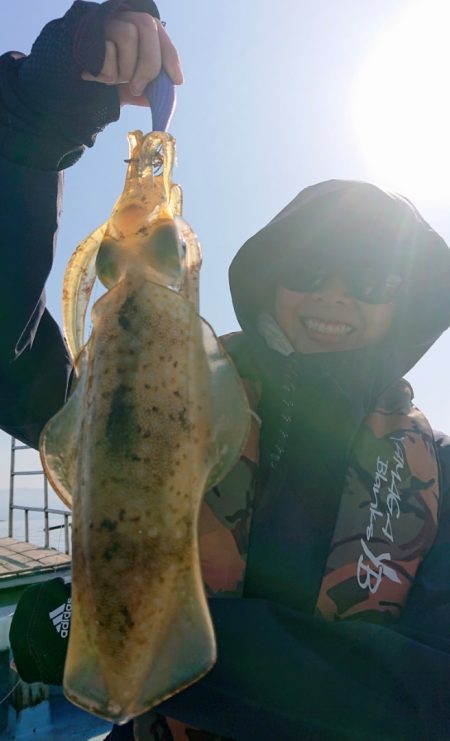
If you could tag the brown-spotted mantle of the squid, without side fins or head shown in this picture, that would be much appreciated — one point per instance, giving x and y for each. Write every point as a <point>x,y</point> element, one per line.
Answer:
<point>147,453</point>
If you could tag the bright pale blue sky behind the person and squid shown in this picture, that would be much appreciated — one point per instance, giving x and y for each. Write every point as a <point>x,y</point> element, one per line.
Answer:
<point>279,96</point>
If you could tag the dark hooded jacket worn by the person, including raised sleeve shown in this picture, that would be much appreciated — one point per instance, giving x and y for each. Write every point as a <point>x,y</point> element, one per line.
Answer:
<point>283,672</point>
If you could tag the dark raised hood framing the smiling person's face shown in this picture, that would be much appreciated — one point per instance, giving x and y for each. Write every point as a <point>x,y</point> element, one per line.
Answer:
<point>352,219</point>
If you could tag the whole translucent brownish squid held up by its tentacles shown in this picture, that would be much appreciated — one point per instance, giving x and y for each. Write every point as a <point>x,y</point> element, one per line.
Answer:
<point>157,416</point>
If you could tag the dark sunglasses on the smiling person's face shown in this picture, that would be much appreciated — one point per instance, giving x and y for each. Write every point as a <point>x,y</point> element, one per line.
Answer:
<point>364,283</point>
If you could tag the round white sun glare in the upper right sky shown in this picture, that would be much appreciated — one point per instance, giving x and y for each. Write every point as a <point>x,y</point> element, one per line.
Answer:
<point>402,102</point>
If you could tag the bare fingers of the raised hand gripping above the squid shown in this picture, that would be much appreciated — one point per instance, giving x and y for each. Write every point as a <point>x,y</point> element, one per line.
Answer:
<point>137,46</point>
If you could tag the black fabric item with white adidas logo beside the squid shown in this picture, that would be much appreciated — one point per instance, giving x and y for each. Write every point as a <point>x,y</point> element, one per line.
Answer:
<point>39,631</point>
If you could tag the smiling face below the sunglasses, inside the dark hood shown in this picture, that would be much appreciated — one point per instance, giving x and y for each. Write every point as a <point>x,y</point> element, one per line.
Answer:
<point>329,319</point>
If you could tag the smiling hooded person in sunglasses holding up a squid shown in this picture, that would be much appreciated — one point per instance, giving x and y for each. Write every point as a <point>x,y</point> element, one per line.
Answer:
<point>326,551</point>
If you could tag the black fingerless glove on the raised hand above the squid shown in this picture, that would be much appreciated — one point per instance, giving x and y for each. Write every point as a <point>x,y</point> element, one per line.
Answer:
<point>48,114</point>
